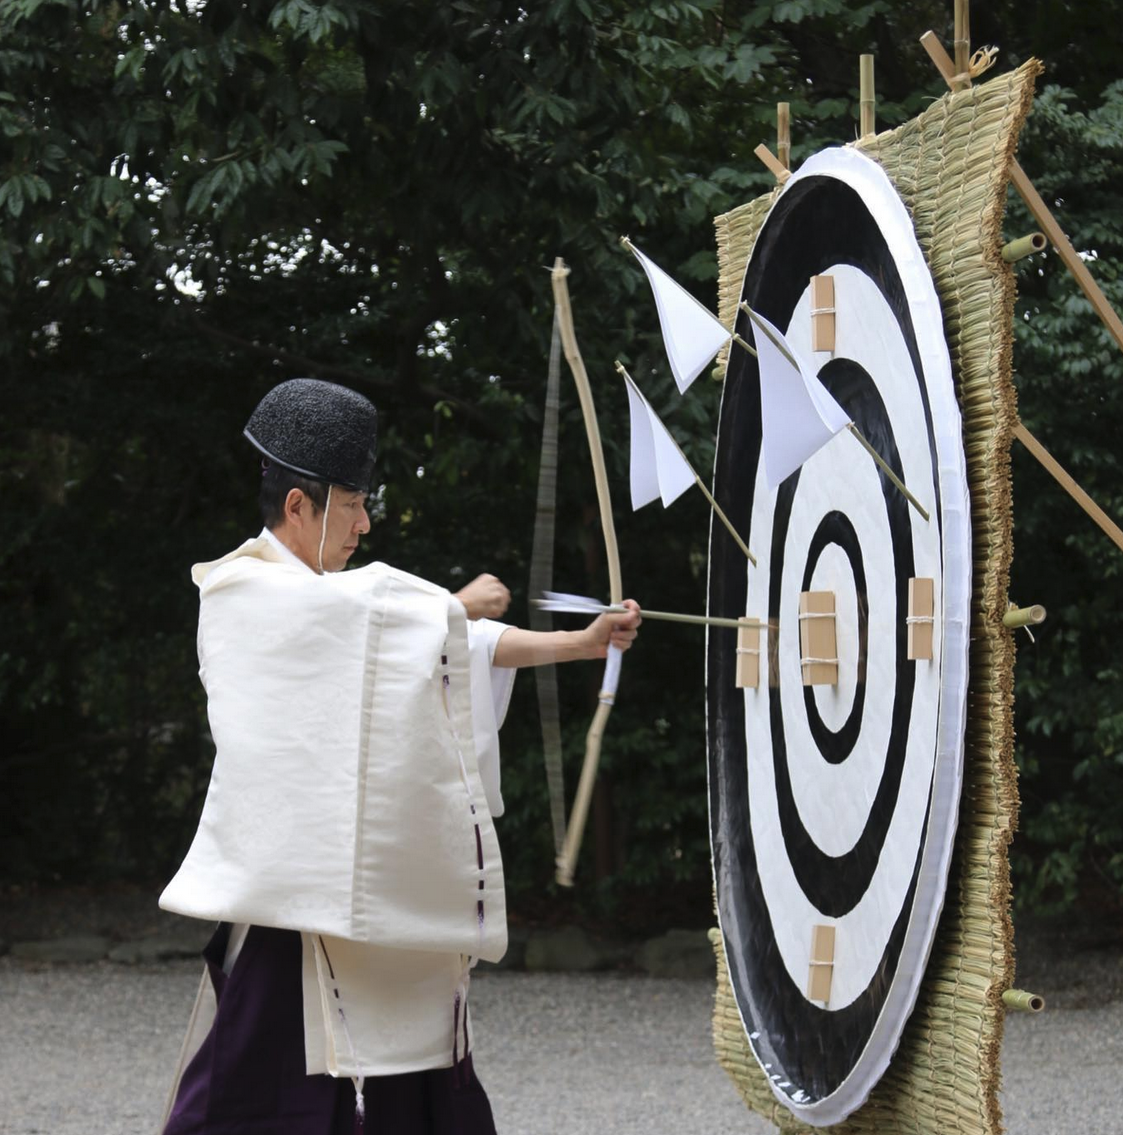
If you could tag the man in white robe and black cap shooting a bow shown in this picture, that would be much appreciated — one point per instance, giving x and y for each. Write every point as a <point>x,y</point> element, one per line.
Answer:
<point>347,845</point>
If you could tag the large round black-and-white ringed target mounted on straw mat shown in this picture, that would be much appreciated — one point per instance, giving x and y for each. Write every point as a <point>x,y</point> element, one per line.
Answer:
<point>834,806</point>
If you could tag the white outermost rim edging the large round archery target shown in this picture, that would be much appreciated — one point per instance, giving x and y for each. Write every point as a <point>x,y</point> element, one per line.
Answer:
<point>882,200</point>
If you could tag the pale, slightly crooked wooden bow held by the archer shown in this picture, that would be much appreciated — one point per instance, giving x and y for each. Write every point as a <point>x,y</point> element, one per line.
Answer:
<point>567,861</point>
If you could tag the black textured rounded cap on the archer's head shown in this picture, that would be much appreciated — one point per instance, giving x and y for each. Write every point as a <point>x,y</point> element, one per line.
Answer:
<point>320,431</point>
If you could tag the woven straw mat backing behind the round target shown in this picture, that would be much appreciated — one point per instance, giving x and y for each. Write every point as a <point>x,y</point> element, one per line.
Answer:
<point>951,166</point>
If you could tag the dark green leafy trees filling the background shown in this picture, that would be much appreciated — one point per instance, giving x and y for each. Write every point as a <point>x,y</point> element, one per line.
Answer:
<point>198,200</point>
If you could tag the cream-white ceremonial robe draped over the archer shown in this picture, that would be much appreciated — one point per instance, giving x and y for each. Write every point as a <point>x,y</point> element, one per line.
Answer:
<point>342,795</point>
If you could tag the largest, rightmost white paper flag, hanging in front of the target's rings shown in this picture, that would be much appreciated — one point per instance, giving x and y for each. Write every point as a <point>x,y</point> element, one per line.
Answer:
<point>799,416</point>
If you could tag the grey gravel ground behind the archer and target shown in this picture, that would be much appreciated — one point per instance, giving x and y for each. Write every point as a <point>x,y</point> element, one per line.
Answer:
<point>88,1050</point>
